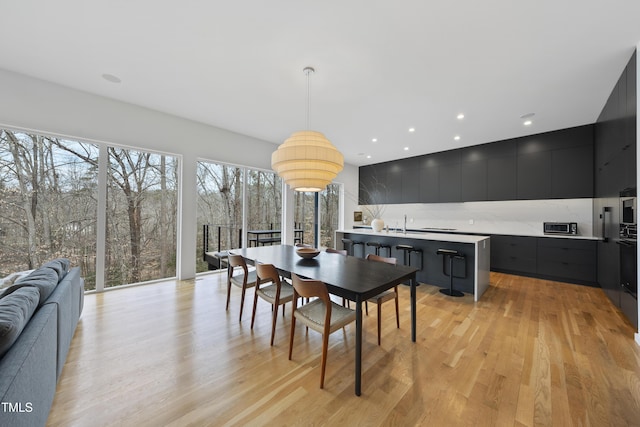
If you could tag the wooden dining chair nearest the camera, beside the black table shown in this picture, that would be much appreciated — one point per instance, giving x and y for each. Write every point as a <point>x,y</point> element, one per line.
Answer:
<point>321,314</point>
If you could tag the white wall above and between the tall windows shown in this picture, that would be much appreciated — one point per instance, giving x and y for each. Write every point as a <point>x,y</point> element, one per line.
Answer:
<point>40,106</point>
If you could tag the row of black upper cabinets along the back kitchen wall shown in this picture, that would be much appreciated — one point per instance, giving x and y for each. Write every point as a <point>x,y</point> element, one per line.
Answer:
<point>550,165</point>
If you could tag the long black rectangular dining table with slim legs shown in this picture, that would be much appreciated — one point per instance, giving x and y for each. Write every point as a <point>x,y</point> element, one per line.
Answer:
<point>350,277</point>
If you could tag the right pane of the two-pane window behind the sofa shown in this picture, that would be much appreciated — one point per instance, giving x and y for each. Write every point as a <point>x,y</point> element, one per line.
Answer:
<point>141,217</point>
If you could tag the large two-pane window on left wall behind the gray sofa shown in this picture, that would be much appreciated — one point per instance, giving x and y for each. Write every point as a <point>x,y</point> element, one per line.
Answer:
<point>49,194</point>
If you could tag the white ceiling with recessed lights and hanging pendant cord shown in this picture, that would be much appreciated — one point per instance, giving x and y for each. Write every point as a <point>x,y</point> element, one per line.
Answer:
<point>382,67</point>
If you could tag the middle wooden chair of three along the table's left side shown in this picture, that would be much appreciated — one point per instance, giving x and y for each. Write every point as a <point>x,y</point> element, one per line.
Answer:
<point>270,288</point>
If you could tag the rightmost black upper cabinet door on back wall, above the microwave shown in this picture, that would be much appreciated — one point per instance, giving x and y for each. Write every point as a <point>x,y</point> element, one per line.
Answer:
<point>572,172</point>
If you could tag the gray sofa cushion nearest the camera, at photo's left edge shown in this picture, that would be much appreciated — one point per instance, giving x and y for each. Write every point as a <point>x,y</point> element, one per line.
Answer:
<point>15,311</point>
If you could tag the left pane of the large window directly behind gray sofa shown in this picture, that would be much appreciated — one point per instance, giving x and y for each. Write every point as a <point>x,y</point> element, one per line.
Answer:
<point>48,202</point>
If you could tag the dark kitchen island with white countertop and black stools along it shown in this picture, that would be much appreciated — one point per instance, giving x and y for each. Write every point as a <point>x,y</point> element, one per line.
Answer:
<point>471,274</point>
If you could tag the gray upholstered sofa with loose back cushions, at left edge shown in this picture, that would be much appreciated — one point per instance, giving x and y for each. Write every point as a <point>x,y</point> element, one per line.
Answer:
<point>38,317</point>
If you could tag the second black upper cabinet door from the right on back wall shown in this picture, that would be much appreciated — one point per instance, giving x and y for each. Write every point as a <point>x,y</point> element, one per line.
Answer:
<point>534,175</point>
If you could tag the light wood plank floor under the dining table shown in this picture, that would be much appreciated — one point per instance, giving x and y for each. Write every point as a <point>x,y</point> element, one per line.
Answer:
<point>531,352</point>
